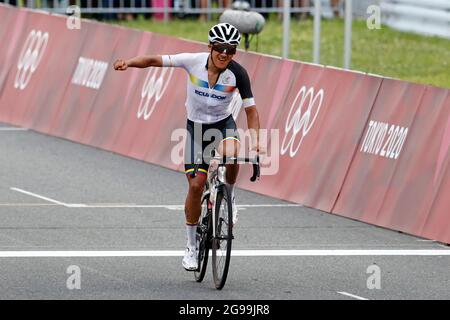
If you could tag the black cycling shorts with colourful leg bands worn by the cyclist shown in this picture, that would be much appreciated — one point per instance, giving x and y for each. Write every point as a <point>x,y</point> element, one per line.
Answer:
<point>202,139</point>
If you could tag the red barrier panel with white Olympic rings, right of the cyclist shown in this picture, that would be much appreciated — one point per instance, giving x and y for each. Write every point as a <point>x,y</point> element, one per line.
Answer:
<point>319,126</point>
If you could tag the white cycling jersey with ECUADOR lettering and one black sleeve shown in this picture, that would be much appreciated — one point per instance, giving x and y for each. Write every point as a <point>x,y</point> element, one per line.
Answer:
<point>203,103</point>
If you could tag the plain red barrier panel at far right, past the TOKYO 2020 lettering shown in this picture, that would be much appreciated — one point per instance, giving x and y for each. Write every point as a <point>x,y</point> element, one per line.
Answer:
<point>418,186</point>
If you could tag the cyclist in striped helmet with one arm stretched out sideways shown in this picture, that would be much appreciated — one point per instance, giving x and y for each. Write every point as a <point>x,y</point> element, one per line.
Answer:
<point>212,78</point>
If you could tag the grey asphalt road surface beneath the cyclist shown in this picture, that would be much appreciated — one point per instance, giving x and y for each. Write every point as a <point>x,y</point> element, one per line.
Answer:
<point>56,195</point>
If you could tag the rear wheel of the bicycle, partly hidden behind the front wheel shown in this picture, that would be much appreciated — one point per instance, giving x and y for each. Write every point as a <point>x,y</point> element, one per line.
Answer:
<point>203,240</point>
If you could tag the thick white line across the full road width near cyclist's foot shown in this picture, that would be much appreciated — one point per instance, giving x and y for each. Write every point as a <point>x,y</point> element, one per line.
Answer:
<point>236,253</point>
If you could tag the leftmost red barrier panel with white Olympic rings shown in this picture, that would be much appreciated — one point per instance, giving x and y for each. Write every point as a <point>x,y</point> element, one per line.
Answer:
<point>40,70</point>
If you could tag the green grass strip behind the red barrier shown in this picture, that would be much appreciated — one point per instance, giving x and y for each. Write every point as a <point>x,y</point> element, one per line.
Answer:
<point>385,51</point>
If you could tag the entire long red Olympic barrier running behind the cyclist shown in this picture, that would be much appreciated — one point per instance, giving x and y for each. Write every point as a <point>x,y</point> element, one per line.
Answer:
<point>360,146</point>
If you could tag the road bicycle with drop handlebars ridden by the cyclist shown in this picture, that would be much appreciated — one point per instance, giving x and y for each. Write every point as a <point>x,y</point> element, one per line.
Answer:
<point>215,228</point>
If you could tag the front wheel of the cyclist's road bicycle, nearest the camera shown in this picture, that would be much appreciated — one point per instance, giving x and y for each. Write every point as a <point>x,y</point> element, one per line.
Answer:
<point>221,244</point>
